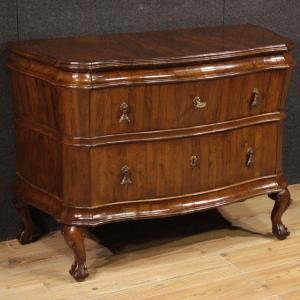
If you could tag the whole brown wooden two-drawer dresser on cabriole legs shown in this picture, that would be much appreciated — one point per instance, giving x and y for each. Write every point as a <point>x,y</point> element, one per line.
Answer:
<point>148,125</point>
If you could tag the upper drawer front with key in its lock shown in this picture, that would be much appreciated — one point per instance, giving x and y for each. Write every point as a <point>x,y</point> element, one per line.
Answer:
<point>179,105</point>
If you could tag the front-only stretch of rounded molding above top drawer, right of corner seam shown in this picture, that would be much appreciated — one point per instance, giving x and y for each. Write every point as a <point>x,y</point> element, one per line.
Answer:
<point>189,73</point>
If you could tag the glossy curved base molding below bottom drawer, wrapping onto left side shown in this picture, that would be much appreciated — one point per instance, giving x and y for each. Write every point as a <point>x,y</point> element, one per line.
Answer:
<point>144,209</point>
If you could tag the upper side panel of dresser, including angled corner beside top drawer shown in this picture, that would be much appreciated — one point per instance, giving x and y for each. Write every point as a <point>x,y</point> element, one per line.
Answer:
<point>62,109</point>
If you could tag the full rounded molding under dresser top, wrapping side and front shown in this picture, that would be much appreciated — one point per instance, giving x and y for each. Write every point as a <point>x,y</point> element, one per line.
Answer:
<point>87,80</point>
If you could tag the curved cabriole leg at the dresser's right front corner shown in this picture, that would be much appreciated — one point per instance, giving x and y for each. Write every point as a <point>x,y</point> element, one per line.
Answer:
<point>282,202</point>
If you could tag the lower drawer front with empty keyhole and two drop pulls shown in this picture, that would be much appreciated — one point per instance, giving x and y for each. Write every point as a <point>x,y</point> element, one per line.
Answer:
<point>176,167</point>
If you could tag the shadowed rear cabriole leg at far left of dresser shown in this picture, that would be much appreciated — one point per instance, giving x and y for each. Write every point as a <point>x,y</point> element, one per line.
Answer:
<point>29,232</point>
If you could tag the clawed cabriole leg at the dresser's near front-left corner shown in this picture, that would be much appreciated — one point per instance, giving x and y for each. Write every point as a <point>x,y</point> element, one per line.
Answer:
<point>74,237</point>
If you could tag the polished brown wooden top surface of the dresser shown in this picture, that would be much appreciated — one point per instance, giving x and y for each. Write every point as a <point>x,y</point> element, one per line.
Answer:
<point>153,48</point>
